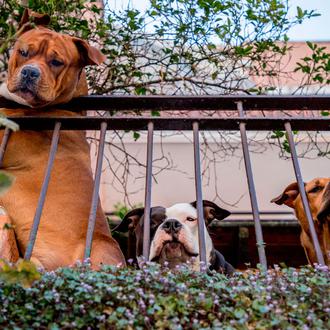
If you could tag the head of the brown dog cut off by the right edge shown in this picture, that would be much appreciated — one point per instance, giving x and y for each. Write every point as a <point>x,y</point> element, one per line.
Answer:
<point>318,193</point>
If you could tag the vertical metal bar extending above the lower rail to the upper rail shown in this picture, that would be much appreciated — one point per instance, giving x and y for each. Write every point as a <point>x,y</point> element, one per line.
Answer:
<point>252,191</point>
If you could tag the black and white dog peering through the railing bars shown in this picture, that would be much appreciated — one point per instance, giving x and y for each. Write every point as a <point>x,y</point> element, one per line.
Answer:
<point>174,235</point>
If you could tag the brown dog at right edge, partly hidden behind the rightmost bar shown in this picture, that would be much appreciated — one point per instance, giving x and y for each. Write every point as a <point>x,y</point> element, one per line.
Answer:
<point>318,193</point>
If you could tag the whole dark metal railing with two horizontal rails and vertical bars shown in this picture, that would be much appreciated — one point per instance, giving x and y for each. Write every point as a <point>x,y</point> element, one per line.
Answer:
<point>240,104</point>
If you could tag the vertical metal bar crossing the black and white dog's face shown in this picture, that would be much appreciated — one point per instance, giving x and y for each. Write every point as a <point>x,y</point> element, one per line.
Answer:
<point>199,198</point>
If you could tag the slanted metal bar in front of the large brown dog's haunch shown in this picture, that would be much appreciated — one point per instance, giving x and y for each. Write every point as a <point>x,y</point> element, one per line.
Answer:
<point>95,196</point>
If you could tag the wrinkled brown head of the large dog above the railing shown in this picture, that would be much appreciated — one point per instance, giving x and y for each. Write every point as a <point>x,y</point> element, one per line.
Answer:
<point>46,67</point>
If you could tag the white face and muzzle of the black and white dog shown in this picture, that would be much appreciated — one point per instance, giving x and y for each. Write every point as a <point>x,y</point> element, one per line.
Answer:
<point>176,239</point>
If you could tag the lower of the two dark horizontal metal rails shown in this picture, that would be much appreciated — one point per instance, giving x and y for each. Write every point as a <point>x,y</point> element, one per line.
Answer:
<point>171,124</point>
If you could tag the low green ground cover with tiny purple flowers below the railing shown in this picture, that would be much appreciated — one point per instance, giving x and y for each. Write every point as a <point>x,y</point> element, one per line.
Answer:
<point>159,298</point>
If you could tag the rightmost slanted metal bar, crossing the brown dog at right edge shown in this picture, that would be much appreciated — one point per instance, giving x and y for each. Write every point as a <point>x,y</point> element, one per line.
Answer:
<point>303,195</point>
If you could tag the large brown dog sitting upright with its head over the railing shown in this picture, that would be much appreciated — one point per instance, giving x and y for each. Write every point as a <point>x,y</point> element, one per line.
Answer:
<point>45,69</point>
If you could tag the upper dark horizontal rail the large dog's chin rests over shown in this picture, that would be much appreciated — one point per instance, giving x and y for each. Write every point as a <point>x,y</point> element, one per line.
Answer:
<point>210,102</point>
